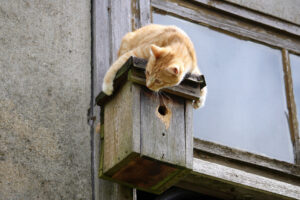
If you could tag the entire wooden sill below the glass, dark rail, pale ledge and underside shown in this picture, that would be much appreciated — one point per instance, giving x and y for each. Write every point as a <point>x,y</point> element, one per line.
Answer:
<point>233,174</point>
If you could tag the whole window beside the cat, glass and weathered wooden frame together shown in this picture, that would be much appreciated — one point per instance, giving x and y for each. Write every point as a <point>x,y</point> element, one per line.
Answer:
<point>246,132</point>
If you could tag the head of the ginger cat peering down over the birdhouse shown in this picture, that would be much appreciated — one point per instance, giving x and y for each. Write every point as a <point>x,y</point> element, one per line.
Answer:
<point>164,68</point>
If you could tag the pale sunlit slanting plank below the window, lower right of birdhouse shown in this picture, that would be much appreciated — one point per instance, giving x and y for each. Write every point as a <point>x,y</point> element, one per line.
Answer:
<point>246,179</point>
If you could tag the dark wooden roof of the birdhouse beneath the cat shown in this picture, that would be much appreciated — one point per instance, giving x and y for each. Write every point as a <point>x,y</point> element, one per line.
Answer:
<point>134,70</point>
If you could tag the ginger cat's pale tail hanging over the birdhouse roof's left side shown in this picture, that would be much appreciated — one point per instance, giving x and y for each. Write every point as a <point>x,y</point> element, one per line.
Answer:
<point>107,86</point>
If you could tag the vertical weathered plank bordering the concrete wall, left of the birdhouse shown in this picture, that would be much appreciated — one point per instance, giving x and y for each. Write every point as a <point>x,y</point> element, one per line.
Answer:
<point>100,63</point>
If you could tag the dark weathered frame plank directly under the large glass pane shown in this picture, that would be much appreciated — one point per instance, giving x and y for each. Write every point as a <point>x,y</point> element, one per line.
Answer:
<point>220,152</point>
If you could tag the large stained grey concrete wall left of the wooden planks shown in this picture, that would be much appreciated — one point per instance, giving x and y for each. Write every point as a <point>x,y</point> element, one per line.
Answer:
<point>44,96</point>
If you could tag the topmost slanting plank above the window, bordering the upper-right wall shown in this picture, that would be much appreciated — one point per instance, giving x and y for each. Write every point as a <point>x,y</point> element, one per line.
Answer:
<point>253,16</point>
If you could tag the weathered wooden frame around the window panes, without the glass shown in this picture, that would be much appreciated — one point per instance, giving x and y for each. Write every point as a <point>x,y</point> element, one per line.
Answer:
<point>260,28</point>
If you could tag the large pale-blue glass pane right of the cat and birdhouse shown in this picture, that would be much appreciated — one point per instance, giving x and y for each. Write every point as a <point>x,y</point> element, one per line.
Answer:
<point>246,104</point>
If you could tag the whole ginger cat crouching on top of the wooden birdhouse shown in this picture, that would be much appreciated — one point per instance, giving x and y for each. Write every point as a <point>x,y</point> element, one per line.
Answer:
<point>170,54</point>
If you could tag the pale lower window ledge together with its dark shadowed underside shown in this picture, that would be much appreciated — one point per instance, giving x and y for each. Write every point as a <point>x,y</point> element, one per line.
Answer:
<point>230,182</point>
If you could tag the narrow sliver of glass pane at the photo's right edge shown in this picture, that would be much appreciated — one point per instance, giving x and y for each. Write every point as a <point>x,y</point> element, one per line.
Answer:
<point>295,68</point>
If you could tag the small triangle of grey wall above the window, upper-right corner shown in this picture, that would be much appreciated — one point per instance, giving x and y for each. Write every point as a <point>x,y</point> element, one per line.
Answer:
<point>285,9</point>
